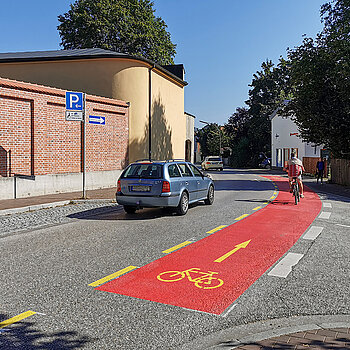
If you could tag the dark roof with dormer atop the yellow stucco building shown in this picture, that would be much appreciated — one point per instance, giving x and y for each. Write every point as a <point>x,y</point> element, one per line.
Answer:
<point>10,57</point>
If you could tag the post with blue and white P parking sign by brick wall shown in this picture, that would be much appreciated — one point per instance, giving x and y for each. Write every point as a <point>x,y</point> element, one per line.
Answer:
<point>75,111</point>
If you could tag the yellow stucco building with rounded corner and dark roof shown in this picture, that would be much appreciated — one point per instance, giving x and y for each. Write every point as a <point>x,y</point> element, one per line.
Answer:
<point>155,93</point>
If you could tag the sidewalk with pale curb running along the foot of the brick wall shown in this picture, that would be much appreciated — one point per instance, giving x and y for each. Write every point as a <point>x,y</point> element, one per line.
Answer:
<point>11,206</point>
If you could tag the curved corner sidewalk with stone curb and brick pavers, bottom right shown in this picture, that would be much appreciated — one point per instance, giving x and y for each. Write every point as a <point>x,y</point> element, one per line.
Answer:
<point>322,332</point>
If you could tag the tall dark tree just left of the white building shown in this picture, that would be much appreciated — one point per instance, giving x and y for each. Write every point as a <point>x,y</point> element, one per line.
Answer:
<point>249,127</point>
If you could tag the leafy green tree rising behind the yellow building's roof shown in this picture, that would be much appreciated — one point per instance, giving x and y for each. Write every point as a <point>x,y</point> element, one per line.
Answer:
<point>125,26</point>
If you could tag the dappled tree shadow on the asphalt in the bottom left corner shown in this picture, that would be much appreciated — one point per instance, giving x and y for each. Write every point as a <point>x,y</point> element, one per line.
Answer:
<point>24,336</point>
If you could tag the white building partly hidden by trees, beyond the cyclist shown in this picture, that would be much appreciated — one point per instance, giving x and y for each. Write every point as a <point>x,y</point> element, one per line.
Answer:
<point>285,139</point>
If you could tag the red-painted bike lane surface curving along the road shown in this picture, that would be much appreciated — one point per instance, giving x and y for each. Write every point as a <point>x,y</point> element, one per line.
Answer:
<point>273,230</point>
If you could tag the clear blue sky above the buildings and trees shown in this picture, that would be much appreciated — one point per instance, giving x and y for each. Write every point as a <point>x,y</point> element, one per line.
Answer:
<point>221,43</point>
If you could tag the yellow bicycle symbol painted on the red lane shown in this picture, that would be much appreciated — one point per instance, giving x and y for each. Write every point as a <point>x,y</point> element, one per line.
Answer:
<point>206,280</point>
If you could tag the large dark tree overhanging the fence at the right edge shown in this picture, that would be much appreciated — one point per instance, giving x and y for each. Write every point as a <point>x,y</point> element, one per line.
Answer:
<point>319,72</point>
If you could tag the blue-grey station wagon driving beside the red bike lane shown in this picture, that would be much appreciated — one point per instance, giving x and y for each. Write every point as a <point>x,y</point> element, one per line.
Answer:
<point>172,183</point>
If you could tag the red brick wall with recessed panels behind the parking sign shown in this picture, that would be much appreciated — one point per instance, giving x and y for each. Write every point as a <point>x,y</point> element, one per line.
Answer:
<point>35,138</point>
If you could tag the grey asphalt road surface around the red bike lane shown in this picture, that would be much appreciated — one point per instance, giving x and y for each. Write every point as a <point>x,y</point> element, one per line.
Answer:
<point>48,270</point>
